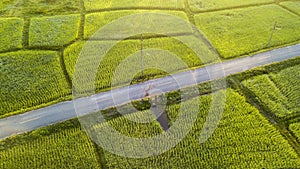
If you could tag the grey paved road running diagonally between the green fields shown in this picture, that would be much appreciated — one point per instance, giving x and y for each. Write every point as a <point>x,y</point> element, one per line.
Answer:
<point>66,110</point>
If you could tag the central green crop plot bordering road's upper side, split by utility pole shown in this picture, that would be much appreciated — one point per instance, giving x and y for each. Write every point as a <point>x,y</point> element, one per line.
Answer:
<point>121,53</point>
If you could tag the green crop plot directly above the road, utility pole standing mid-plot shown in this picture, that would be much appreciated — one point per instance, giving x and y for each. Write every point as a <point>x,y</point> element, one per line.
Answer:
<point>122,50</point>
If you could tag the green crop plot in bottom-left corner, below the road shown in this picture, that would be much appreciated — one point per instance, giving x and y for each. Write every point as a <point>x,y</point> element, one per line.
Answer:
<point>69,148</point>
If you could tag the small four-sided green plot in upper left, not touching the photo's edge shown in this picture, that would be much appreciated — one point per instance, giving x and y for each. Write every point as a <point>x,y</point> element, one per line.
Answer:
<point>53,31</point>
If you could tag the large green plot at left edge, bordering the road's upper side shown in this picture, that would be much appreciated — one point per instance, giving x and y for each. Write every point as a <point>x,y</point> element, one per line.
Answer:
<point>30,78</point>
